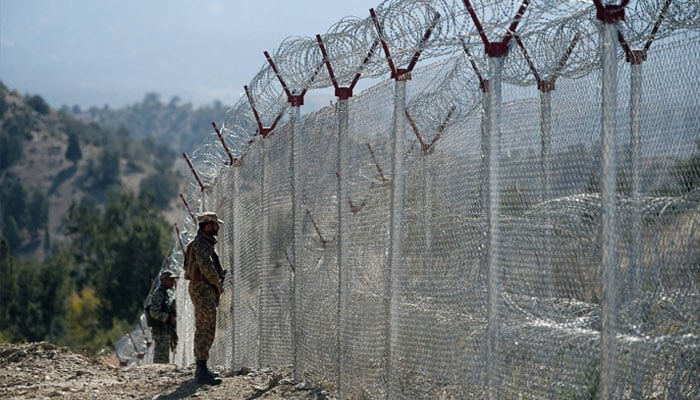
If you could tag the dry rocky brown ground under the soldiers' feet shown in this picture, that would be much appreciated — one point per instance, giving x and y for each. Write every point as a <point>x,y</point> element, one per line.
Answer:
<point>46,371</point>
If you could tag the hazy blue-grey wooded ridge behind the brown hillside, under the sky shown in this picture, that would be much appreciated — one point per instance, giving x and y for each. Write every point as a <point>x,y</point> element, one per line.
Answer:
<point>174,123</point>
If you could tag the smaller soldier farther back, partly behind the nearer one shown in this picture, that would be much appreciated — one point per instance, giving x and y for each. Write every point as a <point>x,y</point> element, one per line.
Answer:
<point>161,317</point>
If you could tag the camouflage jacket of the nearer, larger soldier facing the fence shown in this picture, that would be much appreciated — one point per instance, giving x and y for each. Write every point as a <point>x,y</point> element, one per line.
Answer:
<point>202,263</point>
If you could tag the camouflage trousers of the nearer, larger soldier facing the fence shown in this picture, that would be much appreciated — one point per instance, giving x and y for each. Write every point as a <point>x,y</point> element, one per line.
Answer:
<point>204,299</point>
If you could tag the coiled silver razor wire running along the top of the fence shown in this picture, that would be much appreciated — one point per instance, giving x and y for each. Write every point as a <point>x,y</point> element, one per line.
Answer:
<point>560,39</point>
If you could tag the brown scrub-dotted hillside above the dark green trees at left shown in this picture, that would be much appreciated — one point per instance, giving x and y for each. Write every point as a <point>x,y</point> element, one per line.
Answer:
<point>50,160</point>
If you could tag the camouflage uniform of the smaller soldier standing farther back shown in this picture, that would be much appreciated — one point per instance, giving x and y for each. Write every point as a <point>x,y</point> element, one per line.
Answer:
<point>161,306</point>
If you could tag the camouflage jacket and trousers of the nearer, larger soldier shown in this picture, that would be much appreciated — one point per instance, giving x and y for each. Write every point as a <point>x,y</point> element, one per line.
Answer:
<point>203,269</point>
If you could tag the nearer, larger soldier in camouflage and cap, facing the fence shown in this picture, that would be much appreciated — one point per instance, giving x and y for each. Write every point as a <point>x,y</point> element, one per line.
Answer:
<point>203,270</point>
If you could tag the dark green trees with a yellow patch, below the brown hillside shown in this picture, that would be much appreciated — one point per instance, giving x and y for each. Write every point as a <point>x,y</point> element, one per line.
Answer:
<point>90,289</point>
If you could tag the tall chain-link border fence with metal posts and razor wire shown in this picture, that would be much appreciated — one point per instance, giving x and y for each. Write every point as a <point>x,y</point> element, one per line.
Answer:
<point>513,213</point>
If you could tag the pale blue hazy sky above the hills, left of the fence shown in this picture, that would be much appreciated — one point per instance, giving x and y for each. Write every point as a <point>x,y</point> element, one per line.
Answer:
<point>96,52</point>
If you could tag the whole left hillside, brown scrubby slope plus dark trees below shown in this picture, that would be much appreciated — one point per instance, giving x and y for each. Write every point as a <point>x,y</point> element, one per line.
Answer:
<point>82,224</point>
